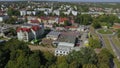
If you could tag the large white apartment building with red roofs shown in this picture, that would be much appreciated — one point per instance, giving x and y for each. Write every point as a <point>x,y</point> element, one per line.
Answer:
<point>29,32</point>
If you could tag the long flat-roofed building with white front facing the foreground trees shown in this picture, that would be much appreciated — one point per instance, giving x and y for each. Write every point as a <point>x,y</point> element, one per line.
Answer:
<point>65,43</point>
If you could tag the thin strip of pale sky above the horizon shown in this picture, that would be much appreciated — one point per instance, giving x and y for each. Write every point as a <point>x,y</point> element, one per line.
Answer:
<point>71,0</point>
